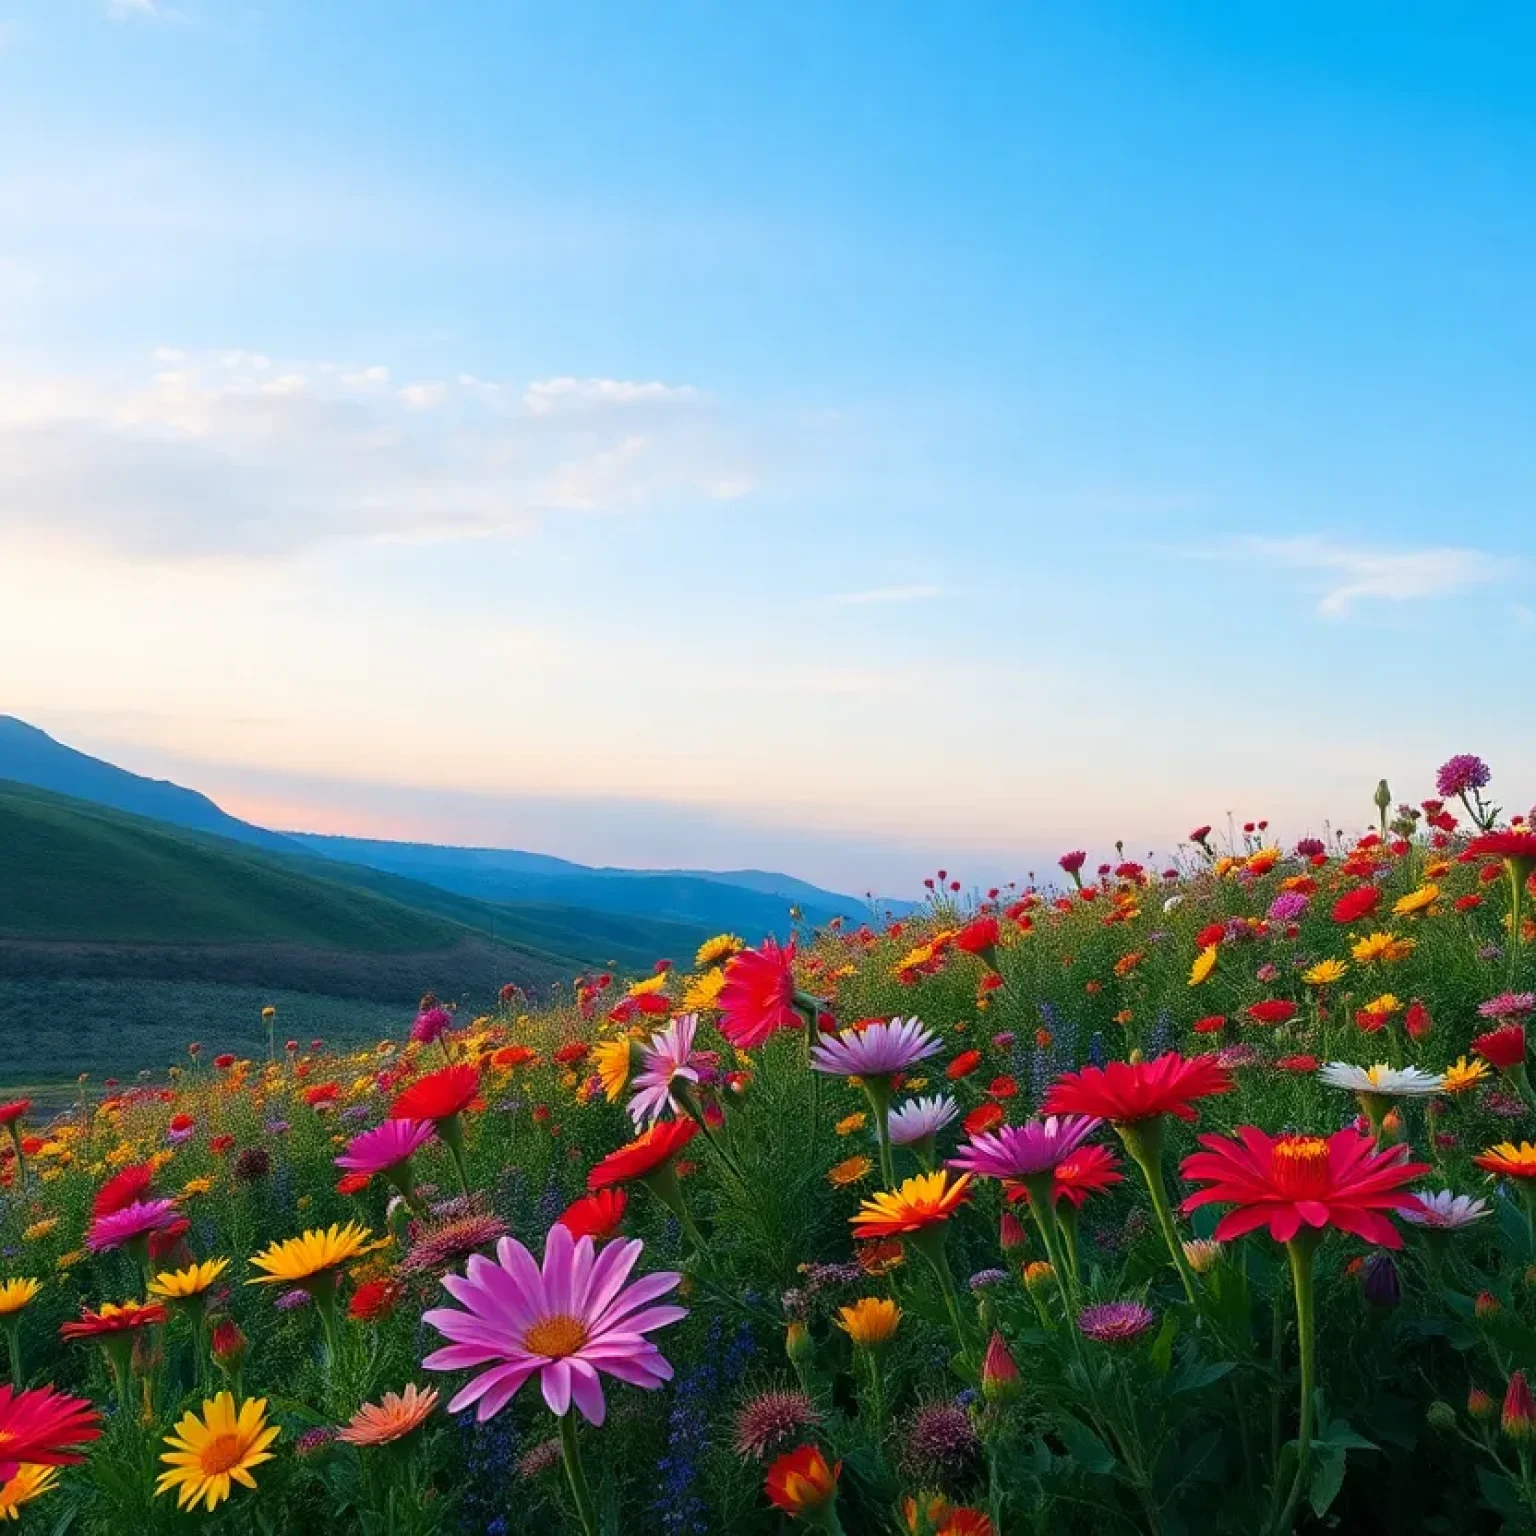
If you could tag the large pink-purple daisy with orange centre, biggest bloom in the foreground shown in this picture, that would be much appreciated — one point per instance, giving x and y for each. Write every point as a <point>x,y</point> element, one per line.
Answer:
<point>568,1322</point>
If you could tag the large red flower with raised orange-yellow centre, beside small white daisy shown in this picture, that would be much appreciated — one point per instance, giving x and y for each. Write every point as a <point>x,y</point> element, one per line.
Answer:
<point>1291,1182</point>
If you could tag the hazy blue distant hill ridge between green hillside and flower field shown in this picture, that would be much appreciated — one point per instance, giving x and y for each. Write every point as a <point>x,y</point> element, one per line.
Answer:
<point>750,902</point>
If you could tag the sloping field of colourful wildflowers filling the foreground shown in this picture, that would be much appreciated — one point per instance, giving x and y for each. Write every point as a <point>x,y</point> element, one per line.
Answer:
<point>1191,1196</point>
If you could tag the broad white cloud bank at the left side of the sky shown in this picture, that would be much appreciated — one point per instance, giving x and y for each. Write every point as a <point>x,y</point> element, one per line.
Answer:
<point>239,454</point>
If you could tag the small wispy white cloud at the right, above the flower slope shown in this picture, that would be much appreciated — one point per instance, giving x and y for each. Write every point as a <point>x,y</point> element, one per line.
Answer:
<point>1354,574</point>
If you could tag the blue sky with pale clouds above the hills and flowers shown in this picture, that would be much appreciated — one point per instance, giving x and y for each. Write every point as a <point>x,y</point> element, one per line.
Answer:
<point>846,440</point>
